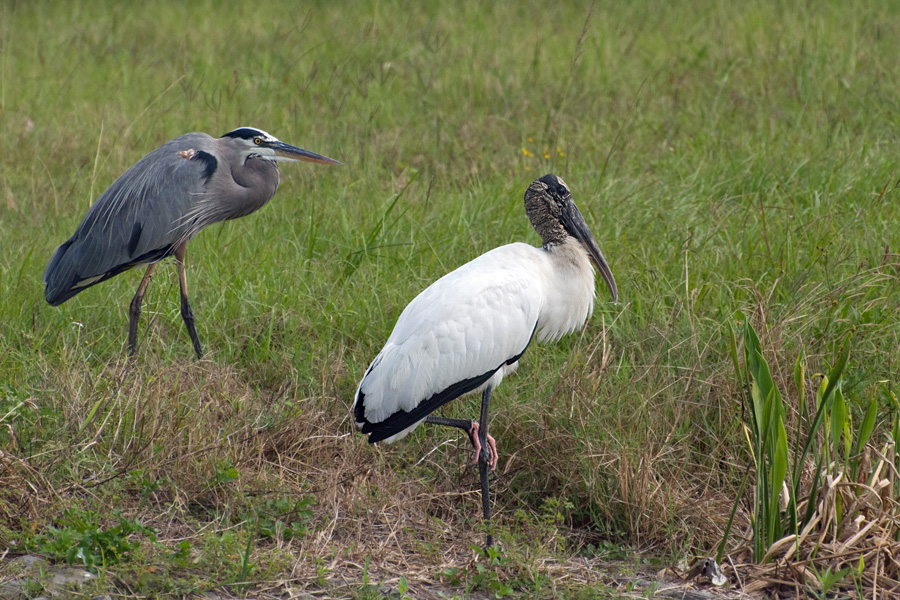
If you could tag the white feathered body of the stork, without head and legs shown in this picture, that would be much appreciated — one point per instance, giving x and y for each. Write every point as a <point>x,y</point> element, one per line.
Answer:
<point>472,325</point>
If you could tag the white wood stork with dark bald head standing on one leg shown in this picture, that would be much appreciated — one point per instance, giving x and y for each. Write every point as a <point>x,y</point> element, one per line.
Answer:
<point>469,328</point>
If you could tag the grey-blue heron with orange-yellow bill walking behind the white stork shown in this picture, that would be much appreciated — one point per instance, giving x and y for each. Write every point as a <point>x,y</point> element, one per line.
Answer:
<point>154,209</point>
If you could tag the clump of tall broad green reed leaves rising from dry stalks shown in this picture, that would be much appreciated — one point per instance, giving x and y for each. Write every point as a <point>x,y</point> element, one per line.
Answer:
<point>786,491</point>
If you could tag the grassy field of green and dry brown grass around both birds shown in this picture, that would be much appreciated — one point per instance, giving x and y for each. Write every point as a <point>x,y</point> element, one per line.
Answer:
<point>733,160</point>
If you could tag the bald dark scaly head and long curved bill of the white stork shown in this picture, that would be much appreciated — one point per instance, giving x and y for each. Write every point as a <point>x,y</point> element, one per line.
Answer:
<point>553,214</point>
